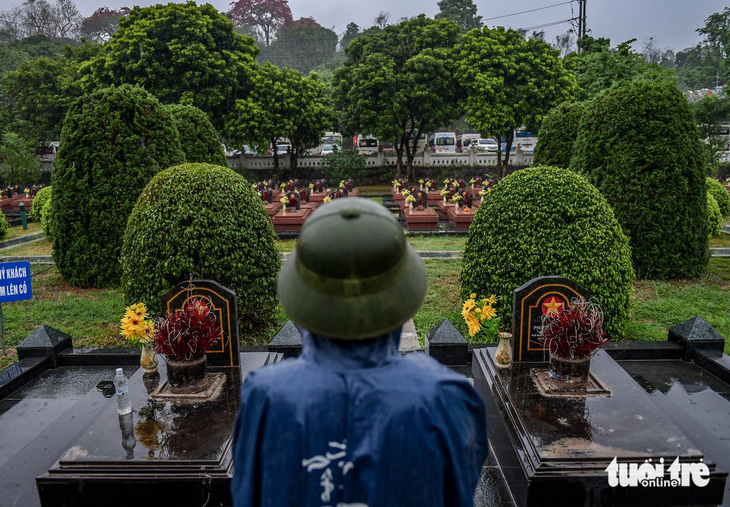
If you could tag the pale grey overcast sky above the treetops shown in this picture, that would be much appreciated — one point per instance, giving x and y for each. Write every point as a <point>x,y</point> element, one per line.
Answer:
<point>672,23</point>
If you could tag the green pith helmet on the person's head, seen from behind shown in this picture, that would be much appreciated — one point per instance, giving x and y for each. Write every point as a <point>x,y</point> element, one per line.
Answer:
<point>352,274</point>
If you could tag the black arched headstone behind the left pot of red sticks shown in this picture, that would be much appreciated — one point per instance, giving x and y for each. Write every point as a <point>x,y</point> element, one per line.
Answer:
<point>223,304</point>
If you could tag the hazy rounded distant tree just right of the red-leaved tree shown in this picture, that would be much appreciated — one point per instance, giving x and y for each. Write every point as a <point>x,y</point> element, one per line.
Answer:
<point>301,48</point>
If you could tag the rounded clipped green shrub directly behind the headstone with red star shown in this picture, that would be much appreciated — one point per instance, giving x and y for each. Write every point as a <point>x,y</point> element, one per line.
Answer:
<point>543,221</point>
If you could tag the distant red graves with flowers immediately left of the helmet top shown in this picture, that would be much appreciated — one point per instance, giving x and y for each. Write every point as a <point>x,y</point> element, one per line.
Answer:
<point>290,203</point>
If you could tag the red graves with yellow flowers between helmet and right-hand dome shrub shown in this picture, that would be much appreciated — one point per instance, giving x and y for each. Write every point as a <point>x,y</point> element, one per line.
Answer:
<point>424,205</point>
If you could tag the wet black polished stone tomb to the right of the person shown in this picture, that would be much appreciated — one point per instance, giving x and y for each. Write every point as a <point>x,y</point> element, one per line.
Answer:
<point>561,446</point>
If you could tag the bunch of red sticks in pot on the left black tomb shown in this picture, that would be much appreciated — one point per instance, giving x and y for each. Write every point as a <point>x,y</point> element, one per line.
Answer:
<point>188,333</point>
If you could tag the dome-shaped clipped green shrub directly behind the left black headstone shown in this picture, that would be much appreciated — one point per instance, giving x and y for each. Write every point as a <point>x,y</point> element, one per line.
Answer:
<point>205,221</point>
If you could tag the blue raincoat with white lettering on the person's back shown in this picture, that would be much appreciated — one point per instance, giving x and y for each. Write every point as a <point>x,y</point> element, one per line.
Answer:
<point>356,424</point>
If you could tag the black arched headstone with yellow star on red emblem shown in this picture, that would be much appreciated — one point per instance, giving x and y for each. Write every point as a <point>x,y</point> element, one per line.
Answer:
<point>539,296</point>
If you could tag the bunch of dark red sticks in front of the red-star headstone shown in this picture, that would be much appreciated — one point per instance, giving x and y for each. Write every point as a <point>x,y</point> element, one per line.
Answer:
<point>576,332</point>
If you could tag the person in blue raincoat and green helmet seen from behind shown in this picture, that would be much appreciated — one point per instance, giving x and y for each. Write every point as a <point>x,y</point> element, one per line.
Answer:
<point>351,422</point>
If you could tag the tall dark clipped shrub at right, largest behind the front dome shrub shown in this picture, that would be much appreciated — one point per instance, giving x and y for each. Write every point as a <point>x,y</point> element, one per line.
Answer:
<point>638,144</point>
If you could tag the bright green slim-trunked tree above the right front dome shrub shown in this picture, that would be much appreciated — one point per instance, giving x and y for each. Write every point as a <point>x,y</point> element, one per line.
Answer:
<point>510,82</point>
